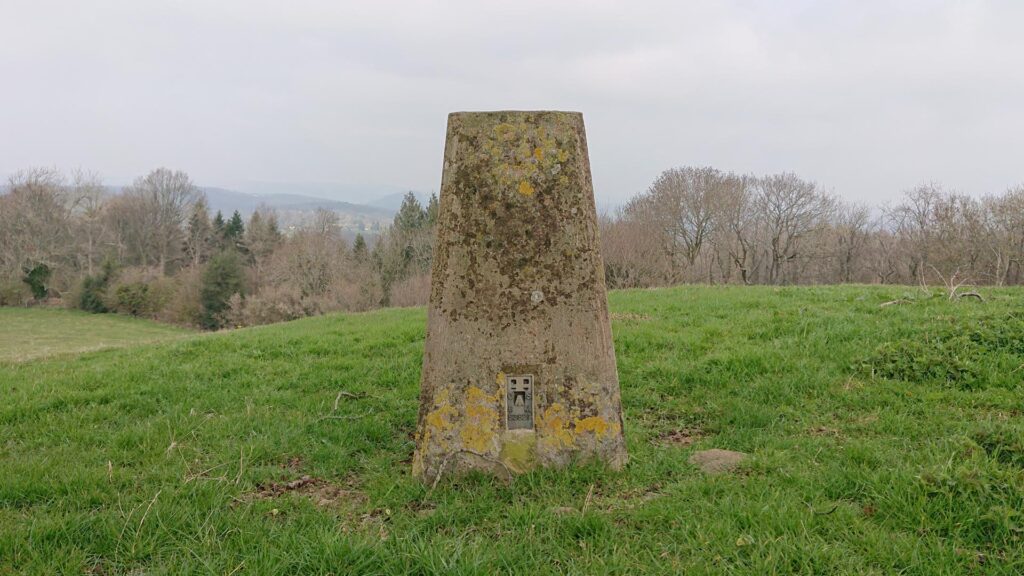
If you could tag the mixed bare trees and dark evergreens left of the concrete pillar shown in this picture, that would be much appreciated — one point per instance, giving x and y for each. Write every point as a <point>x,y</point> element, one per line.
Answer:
<point>155,251</point>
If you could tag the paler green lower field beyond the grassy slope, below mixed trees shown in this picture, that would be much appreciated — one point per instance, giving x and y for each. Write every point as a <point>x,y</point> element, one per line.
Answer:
<point>33,334</point>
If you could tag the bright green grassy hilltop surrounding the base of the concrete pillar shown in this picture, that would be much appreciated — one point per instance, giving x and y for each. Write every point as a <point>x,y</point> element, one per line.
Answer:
<point>882,441</point>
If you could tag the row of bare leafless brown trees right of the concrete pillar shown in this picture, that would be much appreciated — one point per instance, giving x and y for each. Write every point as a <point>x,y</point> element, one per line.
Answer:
<point>700,225</point>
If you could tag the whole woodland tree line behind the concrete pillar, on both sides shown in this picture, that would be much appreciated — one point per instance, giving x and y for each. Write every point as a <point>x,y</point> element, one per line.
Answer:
<point>154,250</point>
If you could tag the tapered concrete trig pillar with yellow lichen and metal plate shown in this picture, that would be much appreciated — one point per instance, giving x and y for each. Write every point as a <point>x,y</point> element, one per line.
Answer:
<point>520,369</point>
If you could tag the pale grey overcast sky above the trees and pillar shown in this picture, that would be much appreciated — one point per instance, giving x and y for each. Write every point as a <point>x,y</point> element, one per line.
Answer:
<point>866,98</point>
